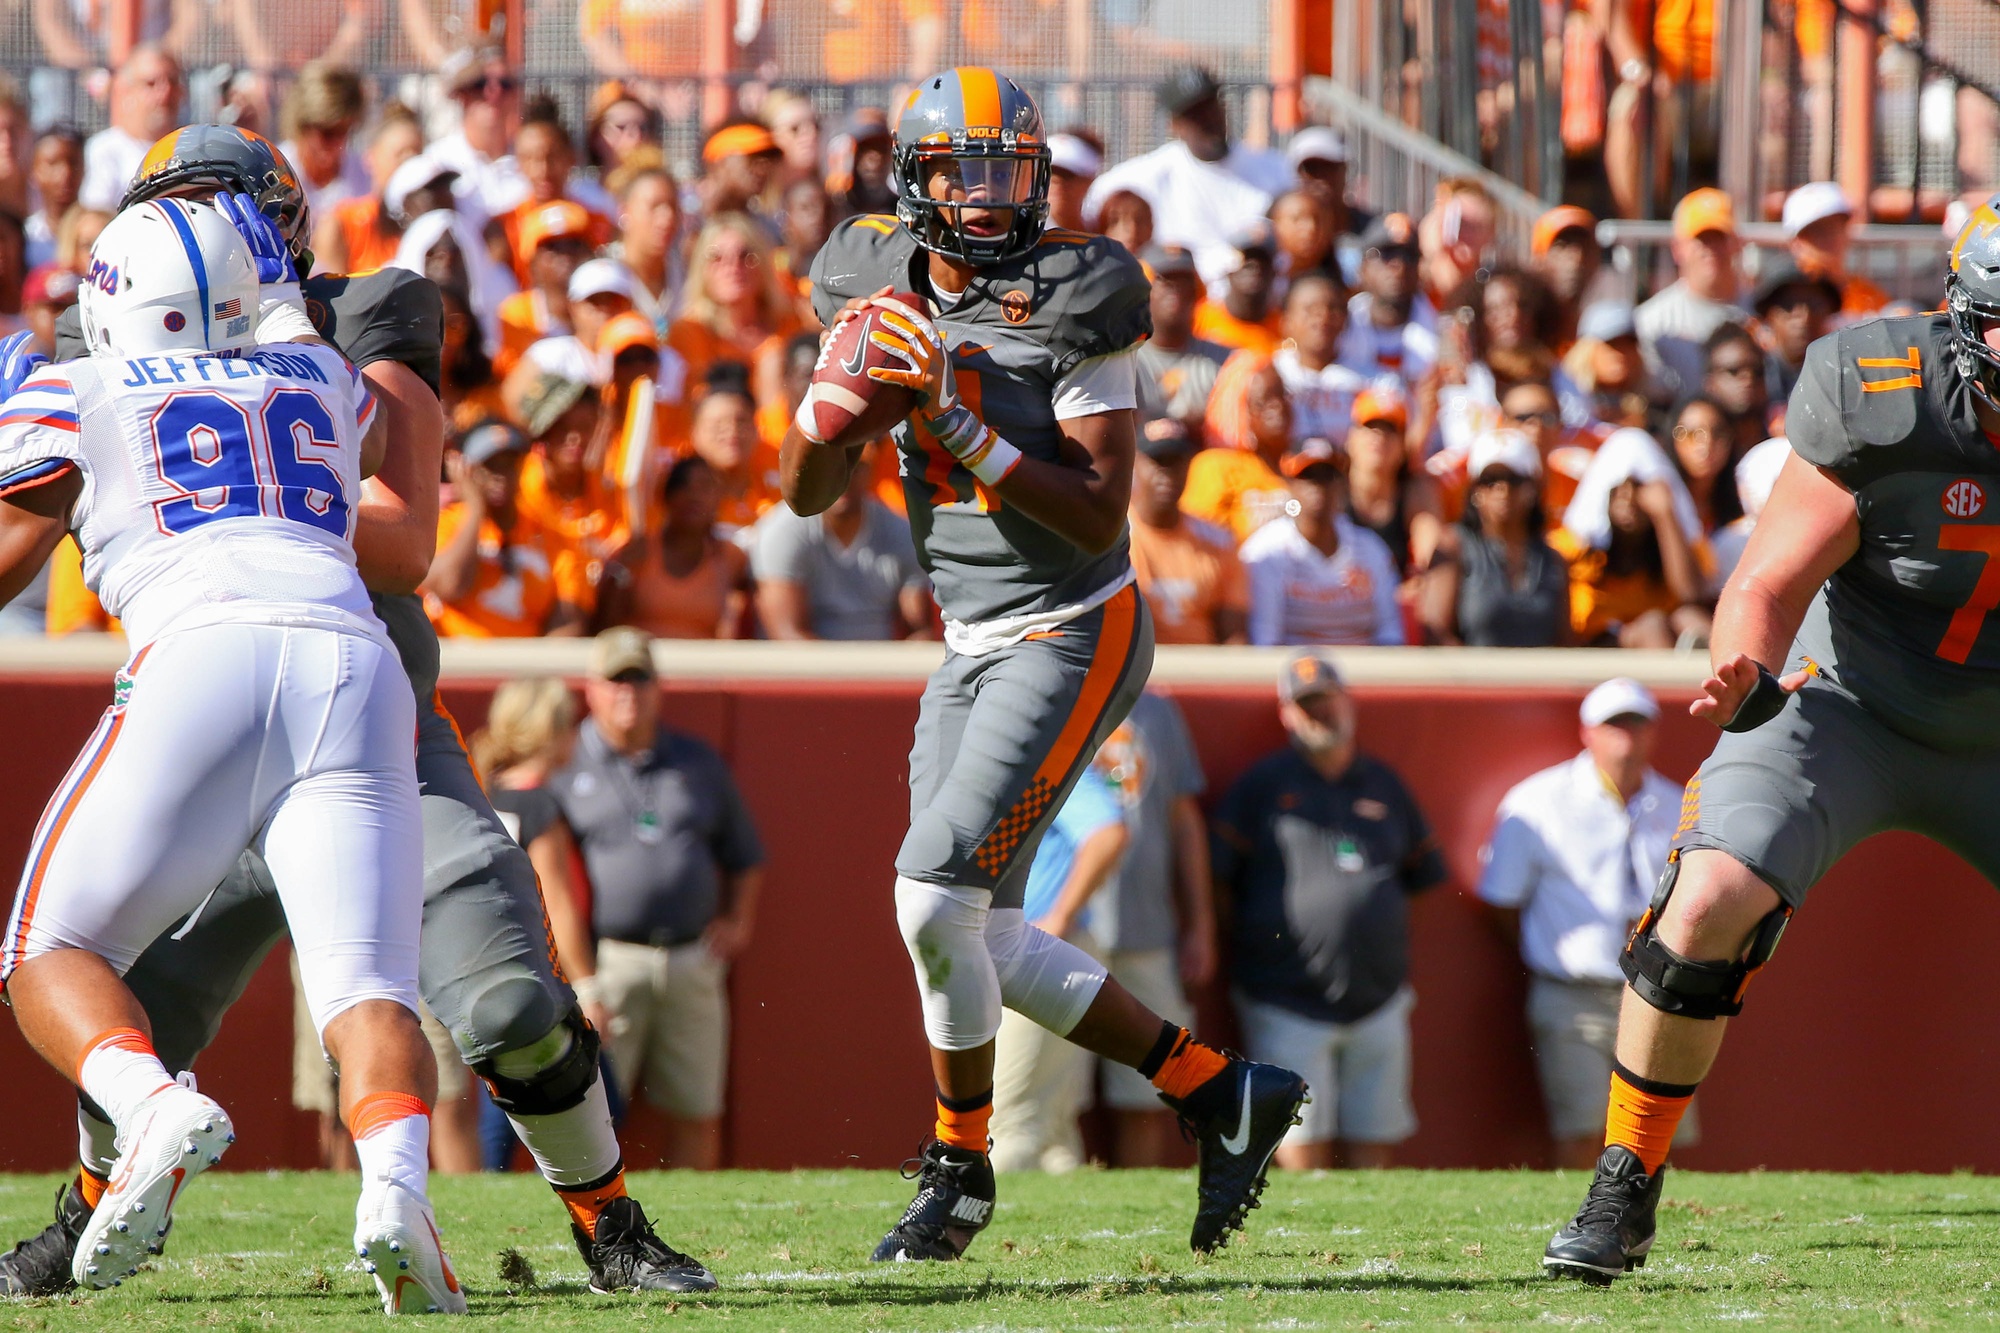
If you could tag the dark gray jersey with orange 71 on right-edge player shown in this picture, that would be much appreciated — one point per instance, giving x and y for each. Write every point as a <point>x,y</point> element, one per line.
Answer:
<point>1907,625</point>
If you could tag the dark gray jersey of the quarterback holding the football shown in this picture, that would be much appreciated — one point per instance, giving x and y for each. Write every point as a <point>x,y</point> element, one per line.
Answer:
<point>1015,333</point>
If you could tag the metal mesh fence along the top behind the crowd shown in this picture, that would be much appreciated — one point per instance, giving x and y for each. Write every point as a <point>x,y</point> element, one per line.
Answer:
<point>1093,63</point>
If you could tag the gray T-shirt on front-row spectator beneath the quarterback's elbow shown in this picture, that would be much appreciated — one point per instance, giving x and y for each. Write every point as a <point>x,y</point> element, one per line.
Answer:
<point>851,591</point>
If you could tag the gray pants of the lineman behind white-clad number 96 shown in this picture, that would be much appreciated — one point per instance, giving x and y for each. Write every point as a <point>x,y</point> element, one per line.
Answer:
<point>487,966</point>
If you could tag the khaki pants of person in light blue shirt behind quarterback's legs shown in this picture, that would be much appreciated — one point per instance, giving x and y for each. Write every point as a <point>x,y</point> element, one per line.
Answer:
<point>1041,1086</point>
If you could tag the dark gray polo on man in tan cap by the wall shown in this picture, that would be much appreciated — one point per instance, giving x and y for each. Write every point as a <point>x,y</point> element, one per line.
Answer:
<point>657,834</point>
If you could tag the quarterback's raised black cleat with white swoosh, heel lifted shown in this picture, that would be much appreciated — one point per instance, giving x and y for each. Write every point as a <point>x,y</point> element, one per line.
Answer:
<point>1237,1122</point>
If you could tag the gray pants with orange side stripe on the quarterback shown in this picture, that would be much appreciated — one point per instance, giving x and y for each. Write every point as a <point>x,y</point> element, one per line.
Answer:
<point>1001,742</point>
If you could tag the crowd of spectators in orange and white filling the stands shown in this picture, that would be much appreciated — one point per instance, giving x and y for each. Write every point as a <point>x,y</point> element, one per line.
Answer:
<point>1355,429</point>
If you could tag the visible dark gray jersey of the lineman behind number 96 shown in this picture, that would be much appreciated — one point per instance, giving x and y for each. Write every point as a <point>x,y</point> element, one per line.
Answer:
<point>387,315</point>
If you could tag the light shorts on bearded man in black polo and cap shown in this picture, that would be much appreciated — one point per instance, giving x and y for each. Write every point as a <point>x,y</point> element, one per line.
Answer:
<point>1359,1072</point>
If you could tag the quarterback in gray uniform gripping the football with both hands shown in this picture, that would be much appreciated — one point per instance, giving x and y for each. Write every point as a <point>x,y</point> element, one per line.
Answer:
<point>1017,471</point>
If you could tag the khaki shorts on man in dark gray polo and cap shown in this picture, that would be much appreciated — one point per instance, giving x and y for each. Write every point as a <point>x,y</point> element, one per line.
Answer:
<point>671,1028</point>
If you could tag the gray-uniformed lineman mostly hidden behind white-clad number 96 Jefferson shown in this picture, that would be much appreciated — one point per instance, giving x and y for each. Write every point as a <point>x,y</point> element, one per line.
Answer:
<point>487,966</point>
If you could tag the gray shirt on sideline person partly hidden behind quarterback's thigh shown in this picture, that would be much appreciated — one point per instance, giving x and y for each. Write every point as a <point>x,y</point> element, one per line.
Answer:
<point>1155,766</point>
